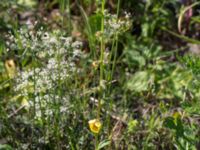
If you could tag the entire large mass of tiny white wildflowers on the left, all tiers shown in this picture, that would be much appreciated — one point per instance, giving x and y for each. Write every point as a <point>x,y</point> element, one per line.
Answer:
<point>57,58</point>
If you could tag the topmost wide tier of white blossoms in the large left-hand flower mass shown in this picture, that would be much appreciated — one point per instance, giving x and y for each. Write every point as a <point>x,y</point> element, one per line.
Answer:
<point>40,43</point>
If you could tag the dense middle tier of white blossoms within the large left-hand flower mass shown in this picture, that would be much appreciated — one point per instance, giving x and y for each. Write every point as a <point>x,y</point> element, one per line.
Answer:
<point>45,77</point>
